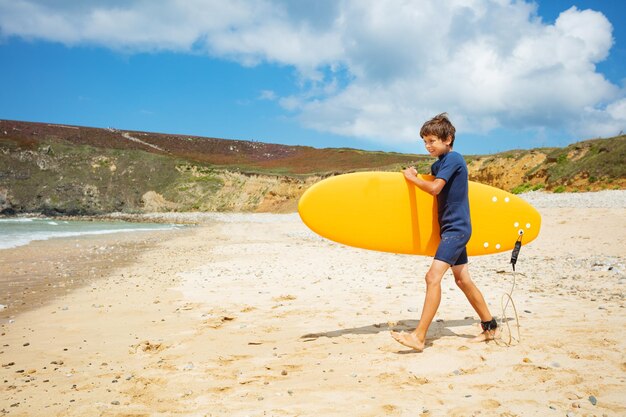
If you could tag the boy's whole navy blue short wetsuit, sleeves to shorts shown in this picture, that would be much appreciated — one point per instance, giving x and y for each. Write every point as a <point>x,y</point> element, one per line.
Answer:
<point>453,208</point>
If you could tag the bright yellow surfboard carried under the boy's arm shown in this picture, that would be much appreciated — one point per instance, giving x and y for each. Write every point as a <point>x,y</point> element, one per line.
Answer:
<point>383,211</point>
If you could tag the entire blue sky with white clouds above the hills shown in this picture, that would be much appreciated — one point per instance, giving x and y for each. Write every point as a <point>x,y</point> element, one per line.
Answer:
<point>362,74</point>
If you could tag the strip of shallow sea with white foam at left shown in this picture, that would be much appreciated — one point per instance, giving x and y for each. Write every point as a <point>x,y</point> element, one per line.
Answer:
<point>23,230</point>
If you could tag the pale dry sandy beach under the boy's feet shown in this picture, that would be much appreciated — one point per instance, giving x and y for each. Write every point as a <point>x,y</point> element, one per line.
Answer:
<point>253,315</point>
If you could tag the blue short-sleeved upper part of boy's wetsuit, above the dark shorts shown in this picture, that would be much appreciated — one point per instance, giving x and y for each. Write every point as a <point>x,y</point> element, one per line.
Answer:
<point>452,201</point>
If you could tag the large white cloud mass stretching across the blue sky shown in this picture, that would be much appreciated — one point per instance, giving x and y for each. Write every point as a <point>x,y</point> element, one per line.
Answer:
<point>373,68</point>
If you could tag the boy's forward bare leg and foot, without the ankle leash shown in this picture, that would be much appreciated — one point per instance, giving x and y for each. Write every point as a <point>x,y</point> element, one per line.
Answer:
<point>417,338</point>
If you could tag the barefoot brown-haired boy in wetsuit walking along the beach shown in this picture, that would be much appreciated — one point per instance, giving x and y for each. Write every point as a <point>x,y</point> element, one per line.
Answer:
<point>450,187</point>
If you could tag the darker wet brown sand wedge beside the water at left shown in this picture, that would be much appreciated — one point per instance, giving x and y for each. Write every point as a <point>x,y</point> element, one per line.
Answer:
<point>43,270</point>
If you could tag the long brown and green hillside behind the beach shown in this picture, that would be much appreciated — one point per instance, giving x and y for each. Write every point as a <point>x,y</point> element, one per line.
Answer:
<point>59,169</point>
